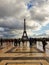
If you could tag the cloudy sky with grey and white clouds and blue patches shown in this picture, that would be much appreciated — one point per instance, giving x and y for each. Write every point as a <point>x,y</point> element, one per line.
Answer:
<point>13,12</point>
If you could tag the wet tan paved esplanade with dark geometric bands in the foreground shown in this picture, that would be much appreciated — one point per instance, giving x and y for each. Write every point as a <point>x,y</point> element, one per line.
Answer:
<point>23,55</point>
